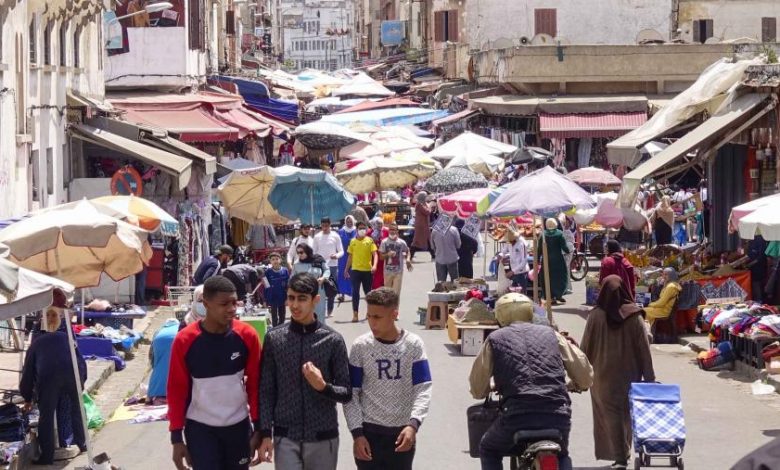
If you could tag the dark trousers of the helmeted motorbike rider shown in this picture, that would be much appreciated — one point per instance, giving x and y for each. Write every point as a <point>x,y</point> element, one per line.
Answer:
<point>498,441</point>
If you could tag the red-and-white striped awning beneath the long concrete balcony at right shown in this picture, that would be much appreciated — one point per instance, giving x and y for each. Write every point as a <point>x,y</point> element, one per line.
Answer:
<point>562,126</point>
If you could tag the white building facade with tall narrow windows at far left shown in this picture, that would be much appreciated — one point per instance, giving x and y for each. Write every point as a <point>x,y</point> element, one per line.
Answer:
<point>51,64</point>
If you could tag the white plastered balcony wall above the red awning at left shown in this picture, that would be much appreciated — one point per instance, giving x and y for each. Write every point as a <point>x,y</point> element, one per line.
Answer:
<point>157,58</point>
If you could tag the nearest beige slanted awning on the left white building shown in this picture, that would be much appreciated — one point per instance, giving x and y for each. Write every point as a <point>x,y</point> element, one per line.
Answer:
<point>178,167</point>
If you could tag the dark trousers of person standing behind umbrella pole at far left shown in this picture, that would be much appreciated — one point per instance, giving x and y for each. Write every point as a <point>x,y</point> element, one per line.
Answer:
<point>49,394</point>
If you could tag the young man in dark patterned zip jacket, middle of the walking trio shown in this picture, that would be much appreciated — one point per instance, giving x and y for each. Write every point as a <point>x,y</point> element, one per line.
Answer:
<point>304,373</point>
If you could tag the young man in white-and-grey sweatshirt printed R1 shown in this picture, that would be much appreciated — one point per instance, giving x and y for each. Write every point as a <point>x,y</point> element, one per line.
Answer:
<point>391,388</point>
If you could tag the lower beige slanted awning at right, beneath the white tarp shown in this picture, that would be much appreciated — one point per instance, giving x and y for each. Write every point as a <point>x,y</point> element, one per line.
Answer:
<point>718,129</point>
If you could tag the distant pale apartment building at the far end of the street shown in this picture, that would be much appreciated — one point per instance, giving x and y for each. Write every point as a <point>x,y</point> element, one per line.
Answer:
<point>317,35</point>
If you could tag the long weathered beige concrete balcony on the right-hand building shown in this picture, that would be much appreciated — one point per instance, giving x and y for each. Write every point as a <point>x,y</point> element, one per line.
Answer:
<point>596,69</point>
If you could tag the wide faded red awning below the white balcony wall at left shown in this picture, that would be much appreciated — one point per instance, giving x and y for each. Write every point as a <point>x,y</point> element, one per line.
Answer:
<point>192,125</point>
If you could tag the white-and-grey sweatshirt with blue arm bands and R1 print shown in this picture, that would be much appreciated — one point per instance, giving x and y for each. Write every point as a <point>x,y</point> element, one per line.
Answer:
<point>391,384</point>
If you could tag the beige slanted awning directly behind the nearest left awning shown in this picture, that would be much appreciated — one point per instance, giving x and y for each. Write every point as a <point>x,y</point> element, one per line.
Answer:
<point>156,137</point>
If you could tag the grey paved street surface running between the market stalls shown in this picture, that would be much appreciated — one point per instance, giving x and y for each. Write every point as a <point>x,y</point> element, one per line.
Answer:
<point>724,420</point>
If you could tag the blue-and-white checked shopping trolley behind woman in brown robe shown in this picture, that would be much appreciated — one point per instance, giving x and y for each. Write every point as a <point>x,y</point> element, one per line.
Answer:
<point>658,424</point>
